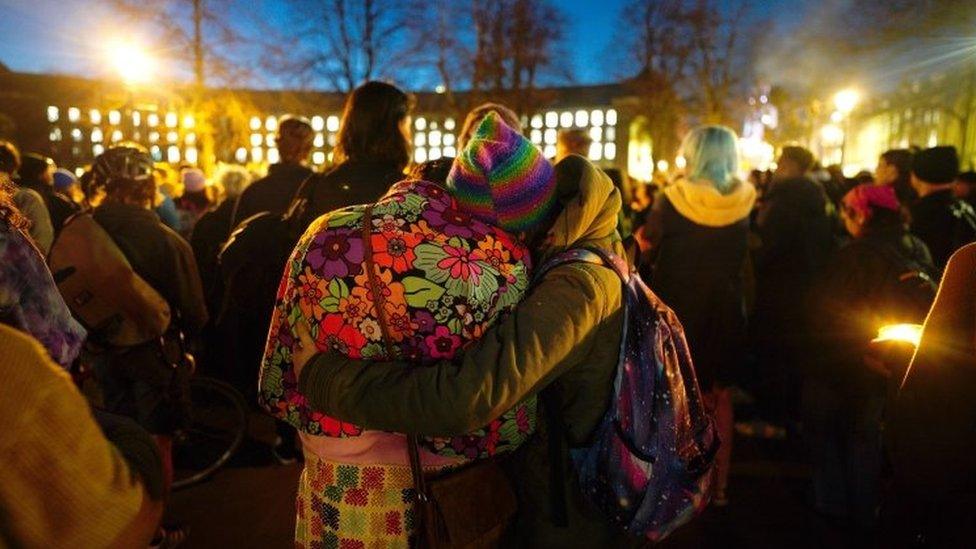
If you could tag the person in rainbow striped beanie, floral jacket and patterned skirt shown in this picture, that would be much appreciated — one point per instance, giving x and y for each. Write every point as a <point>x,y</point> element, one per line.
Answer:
<point>421,273</point>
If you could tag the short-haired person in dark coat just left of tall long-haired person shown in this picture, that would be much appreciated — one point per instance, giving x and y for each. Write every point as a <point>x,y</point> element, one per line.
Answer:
<point>274,192</point>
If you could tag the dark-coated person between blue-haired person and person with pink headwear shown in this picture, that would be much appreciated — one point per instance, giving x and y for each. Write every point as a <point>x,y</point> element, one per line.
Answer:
<point>796,237</point>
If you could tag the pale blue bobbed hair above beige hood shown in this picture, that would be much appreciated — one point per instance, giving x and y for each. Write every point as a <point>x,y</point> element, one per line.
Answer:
<point>712,154</point>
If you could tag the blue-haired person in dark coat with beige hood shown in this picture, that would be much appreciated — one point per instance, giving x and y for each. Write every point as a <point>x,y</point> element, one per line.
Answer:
<point>700,228</point>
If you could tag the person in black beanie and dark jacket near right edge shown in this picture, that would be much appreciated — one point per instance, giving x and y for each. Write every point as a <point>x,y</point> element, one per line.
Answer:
<point>942,221</point>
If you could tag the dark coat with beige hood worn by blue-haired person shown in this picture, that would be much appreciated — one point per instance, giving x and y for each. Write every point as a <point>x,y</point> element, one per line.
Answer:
<point>701,238</point>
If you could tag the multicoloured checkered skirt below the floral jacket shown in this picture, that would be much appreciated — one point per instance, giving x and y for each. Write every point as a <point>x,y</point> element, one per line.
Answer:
<point>344,506</point>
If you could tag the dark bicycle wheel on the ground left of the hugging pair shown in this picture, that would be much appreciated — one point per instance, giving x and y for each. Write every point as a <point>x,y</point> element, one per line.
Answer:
<point>216,430</point>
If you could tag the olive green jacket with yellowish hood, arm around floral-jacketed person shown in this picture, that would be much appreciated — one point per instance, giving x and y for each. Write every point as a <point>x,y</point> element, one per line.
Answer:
<point>564,336</point>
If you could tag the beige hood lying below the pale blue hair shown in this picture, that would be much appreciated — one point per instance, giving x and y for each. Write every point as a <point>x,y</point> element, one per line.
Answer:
<point>703,204</point>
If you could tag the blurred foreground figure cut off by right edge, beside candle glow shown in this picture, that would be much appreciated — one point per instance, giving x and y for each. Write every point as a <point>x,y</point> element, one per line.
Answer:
<point>929,435</point>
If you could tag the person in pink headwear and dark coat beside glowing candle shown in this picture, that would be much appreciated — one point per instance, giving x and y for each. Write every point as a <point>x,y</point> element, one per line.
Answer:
<point>843,398</point>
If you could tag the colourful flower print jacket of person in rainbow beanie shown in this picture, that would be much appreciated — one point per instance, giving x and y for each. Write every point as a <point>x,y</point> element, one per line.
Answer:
<point>444,278</point>
